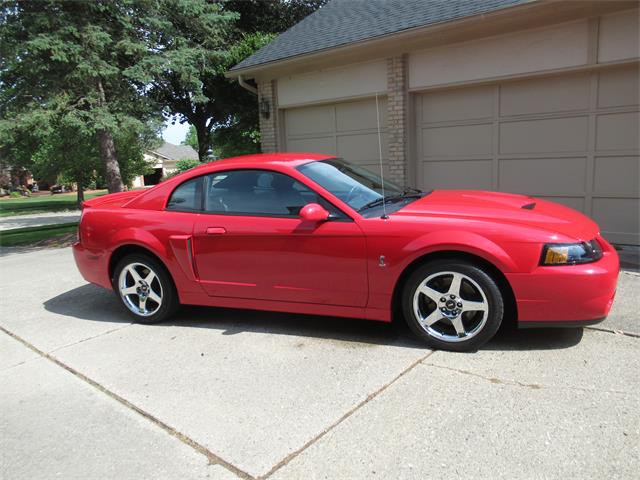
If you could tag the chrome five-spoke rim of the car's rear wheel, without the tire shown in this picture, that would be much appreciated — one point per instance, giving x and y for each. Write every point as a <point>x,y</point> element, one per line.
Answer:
<point>140,289</point>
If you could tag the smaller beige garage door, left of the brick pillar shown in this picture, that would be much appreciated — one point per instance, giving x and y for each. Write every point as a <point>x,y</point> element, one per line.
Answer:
<point>348,130</point>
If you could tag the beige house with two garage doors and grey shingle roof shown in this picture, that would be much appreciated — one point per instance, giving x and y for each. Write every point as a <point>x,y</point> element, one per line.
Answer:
<point>528,96</point>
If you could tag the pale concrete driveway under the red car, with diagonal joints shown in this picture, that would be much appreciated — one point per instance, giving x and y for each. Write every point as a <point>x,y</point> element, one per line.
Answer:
<point>223,394</point>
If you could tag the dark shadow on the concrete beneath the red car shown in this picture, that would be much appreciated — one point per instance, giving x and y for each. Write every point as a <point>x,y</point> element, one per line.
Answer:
<point>93,303</point>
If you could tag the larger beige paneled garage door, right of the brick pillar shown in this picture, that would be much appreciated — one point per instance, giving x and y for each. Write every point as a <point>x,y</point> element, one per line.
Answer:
<point>572,139</point>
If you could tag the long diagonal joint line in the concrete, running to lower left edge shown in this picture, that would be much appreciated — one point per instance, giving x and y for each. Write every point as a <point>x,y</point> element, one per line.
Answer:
<point>212,457</point>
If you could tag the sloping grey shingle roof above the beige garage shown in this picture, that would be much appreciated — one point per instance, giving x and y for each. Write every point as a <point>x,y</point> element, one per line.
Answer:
<point>342,22</point>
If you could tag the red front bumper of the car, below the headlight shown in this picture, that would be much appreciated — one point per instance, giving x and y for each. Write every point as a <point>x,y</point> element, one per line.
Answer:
<point>571,295</point>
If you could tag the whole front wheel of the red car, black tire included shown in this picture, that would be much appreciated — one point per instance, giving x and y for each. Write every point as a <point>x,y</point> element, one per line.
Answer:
<point>452,305</point>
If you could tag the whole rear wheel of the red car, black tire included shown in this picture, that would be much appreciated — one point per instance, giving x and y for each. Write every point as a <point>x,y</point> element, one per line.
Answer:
<point>144,288</point>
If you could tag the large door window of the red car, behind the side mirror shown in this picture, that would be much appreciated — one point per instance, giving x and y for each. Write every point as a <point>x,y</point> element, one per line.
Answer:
<point>256,192</point>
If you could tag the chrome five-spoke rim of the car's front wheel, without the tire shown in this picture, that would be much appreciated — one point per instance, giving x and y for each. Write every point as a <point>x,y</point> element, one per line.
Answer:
<point>450,306</point>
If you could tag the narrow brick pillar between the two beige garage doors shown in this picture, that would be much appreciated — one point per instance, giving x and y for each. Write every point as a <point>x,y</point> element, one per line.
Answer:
<point>397,118</point>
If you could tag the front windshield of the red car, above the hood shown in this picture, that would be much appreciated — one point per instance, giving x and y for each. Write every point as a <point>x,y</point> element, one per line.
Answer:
<point>354,185</point>
